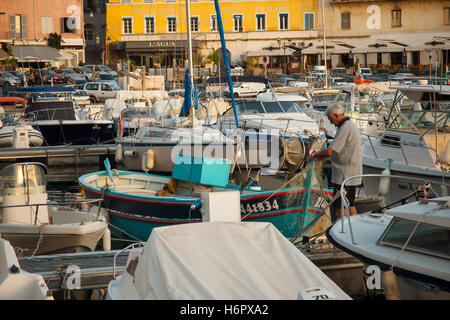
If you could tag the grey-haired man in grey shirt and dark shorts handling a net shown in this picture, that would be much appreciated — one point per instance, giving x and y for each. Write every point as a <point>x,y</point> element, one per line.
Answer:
<point>345,156</point>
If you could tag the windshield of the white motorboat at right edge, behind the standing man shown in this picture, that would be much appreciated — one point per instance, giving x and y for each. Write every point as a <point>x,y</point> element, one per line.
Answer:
<point>421,120</point>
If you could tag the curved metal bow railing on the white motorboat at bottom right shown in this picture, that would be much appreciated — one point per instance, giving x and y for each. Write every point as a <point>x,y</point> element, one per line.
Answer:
<point>345,204</point>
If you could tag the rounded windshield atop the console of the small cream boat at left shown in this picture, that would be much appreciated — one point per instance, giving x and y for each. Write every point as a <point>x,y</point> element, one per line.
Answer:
<point>22,179</point>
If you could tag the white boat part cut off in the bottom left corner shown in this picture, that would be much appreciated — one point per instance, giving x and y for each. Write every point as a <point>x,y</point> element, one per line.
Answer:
<point>16,284</point>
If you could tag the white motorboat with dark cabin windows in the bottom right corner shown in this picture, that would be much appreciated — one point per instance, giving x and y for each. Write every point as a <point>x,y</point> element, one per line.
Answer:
<point>412,240</point>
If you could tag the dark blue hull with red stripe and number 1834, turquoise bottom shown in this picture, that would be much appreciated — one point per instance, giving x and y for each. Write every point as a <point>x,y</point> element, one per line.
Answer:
<point>137,214</point>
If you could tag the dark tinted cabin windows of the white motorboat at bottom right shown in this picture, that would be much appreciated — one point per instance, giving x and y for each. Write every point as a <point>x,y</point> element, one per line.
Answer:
<point>427,238</point>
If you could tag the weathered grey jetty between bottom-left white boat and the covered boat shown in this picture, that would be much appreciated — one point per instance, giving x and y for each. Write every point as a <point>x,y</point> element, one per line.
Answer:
<point>96,268</point>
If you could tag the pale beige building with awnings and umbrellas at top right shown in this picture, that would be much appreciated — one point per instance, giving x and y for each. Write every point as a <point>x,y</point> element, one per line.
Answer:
<point>388,33</point>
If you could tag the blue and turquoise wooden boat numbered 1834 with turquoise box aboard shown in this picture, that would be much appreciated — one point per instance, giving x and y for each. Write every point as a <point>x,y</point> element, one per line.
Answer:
<point>138,202</point>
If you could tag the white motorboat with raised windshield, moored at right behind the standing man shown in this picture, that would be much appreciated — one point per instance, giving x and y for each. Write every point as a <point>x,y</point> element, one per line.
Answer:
<point>415,142</point>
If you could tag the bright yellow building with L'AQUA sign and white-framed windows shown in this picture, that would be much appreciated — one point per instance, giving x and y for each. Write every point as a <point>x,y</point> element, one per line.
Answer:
<point>153,32</point>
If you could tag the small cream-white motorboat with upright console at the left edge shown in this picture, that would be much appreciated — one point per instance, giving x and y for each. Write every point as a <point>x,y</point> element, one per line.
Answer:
<point>35,226</point>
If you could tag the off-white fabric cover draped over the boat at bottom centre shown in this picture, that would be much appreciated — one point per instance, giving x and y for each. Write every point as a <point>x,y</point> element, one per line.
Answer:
<point>247,260</point>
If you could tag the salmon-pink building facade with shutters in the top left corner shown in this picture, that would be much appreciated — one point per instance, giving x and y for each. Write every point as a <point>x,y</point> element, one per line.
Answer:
<point>30,22</point>
